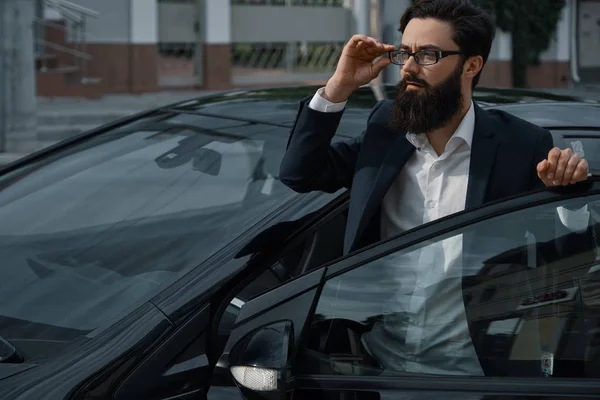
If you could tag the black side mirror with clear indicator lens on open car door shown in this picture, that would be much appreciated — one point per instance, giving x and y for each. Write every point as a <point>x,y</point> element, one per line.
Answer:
<point>259,362</point>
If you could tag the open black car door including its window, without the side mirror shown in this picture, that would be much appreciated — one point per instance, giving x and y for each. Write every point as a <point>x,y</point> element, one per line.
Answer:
<point>514,316</point>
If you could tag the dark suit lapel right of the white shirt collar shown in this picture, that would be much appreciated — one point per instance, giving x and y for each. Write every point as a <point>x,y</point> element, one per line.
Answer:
<point>483,153</point>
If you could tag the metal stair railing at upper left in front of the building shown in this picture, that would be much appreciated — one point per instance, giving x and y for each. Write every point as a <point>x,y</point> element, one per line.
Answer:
<point>76,30</point>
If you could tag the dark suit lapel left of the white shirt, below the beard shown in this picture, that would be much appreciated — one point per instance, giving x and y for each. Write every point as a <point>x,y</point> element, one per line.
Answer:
<point>399,151</point>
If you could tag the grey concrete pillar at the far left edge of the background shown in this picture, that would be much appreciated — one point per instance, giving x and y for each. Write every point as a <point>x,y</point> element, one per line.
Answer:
<point>18,105</point>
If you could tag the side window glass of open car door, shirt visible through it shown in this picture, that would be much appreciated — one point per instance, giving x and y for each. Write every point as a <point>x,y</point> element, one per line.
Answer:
<point>514,295</point>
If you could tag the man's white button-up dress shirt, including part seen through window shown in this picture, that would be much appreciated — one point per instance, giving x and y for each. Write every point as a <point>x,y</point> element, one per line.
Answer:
<point>425,329</point>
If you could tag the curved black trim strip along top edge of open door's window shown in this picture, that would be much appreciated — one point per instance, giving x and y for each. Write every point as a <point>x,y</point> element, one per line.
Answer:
<point>457,221</point>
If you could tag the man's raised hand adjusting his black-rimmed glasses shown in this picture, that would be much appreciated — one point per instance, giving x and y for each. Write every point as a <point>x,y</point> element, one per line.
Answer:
<point>356,67</point>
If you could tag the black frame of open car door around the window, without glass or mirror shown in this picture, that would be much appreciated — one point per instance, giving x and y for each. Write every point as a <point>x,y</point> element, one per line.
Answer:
<point>305,291</point>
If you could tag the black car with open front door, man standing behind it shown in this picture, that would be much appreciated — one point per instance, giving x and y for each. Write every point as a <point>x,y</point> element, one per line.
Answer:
<point>159,257</point>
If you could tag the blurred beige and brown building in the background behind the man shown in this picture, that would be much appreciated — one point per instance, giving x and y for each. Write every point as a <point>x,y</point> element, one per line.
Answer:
<point>90,47</point>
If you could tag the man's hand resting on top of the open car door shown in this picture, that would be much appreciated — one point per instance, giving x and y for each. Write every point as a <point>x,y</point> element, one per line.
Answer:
<point>562,168</point>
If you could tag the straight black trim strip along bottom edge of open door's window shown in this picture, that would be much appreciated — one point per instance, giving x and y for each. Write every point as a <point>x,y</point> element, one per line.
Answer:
<point>530,386</point>
